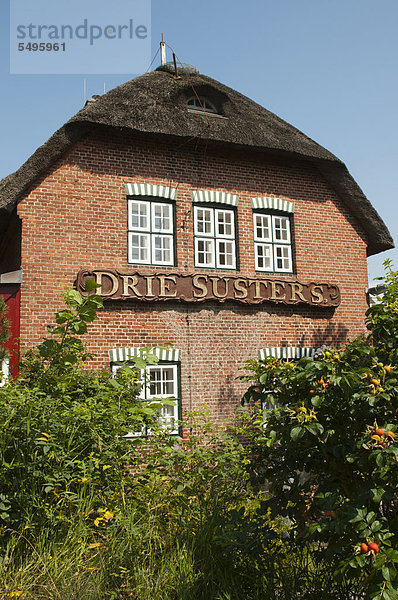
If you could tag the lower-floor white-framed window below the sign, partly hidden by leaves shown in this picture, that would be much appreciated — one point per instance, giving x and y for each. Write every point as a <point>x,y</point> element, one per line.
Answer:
<point>160,383</point>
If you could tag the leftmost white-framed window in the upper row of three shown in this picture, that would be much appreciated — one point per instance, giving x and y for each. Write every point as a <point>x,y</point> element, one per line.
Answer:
<point>150,232</point>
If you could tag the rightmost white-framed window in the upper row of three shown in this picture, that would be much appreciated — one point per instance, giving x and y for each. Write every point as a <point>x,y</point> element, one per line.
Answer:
<point>272,242</point>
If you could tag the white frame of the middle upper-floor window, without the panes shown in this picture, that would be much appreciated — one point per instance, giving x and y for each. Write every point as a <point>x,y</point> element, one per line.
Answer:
<point>213,238</point>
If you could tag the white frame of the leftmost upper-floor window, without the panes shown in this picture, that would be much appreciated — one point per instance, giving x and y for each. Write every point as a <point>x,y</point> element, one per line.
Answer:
<point>149,233</point>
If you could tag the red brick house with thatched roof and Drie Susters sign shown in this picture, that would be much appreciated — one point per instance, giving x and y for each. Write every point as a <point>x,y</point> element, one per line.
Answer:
<point>213,226</point>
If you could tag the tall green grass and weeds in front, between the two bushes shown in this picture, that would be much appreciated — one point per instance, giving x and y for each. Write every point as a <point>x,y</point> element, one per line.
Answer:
<point>182,530</point>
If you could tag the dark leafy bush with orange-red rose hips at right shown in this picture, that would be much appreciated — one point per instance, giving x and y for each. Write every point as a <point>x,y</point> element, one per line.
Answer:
<point>328,448</point>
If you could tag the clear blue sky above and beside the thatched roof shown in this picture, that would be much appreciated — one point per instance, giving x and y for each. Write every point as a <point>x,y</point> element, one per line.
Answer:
<point>327,67</point>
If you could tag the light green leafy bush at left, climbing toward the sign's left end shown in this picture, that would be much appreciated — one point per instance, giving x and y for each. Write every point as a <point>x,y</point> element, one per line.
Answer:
<point>62,427</point>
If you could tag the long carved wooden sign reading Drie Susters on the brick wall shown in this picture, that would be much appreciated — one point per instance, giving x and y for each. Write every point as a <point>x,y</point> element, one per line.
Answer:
<point>200,287</point>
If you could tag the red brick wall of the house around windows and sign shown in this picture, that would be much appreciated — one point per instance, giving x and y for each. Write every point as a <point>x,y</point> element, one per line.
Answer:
<point>76,218</point>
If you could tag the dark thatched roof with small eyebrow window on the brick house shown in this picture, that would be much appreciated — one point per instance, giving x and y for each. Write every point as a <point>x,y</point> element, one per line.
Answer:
<point>156,103</point>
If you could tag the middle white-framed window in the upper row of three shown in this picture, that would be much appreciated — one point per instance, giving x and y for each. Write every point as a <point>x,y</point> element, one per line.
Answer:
<point>215,243</point>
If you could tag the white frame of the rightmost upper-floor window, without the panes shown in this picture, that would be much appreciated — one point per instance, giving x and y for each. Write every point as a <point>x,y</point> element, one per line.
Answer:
<point>272,244</point>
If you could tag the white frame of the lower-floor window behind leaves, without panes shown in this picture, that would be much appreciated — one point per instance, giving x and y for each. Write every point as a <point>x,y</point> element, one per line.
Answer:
<point>169,414</point>
